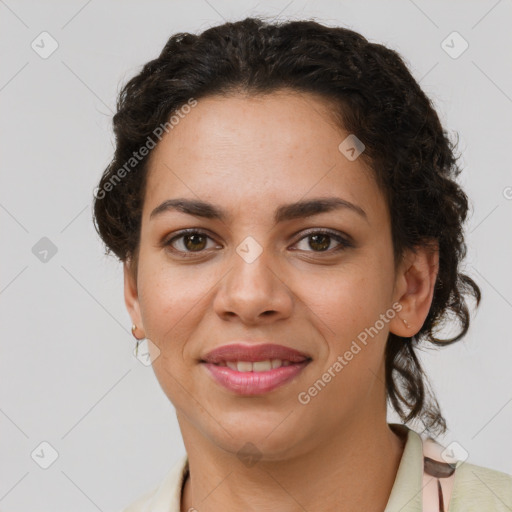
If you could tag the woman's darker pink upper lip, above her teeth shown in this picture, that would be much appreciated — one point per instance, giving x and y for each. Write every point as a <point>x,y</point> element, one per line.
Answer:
<point>252,353</point>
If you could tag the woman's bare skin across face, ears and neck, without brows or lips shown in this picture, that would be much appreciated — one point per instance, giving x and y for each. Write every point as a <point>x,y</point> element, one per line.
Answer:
<point>249,155</point>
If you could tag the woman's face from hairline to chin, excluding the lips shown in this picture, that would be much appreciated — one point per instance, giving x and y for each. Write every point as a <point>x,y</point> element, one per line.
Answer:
<point>312,279</point>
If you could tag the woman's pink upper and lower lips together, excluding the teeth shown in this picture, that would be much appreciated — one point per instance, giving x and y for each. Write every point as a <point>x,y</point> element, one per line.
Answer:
<point>254,383</point>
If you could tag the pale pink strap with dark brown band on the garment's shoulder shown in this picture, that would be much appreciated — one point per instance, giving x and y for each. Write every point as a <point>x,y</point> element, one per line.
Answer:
<point>438,478</point>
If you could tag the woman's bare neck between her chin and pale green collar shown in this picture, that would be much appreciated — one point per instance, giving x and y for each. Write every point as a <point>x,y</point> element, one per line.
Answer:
<point>354,471</point>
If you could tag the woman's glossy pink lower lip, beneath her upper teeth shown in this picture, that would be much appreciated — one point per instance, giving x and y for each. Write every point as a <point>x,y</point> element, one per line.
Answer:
<point>254,383</point>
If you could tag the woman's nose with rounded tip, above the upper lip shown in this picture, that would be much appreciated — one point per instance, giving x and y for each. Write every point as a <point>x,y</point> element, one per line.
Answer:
<point>254,292</point>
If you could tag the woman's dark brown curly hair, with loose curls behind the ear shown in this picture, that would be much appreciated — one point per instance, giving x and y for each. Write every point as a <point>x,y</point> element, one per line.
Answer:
<point>373,95</point>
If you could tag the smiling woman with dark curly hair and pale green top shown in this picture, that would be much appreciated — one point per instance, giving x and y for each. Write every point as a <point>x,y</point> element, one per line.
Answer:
<point>283,200</point>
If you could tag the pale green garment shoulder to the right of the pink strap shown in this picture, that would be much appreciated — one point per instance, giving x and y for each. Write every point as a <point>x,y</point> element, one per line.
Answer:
<point>480,488</point>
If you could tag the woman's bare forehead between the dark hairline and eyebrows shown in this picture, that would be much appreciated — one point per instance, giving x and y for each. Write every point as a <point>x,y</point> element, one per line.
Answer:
<point>262,149</point>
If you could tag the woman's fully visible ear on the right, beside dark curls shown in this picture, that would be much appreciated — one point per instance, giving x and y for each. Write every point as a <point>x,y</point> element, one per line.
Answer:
<point>414,289</point>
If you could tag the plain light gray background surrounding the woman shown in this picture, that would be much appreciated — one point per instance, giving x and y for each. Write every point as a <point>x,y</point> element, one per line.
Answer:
<point>68,375</point>
